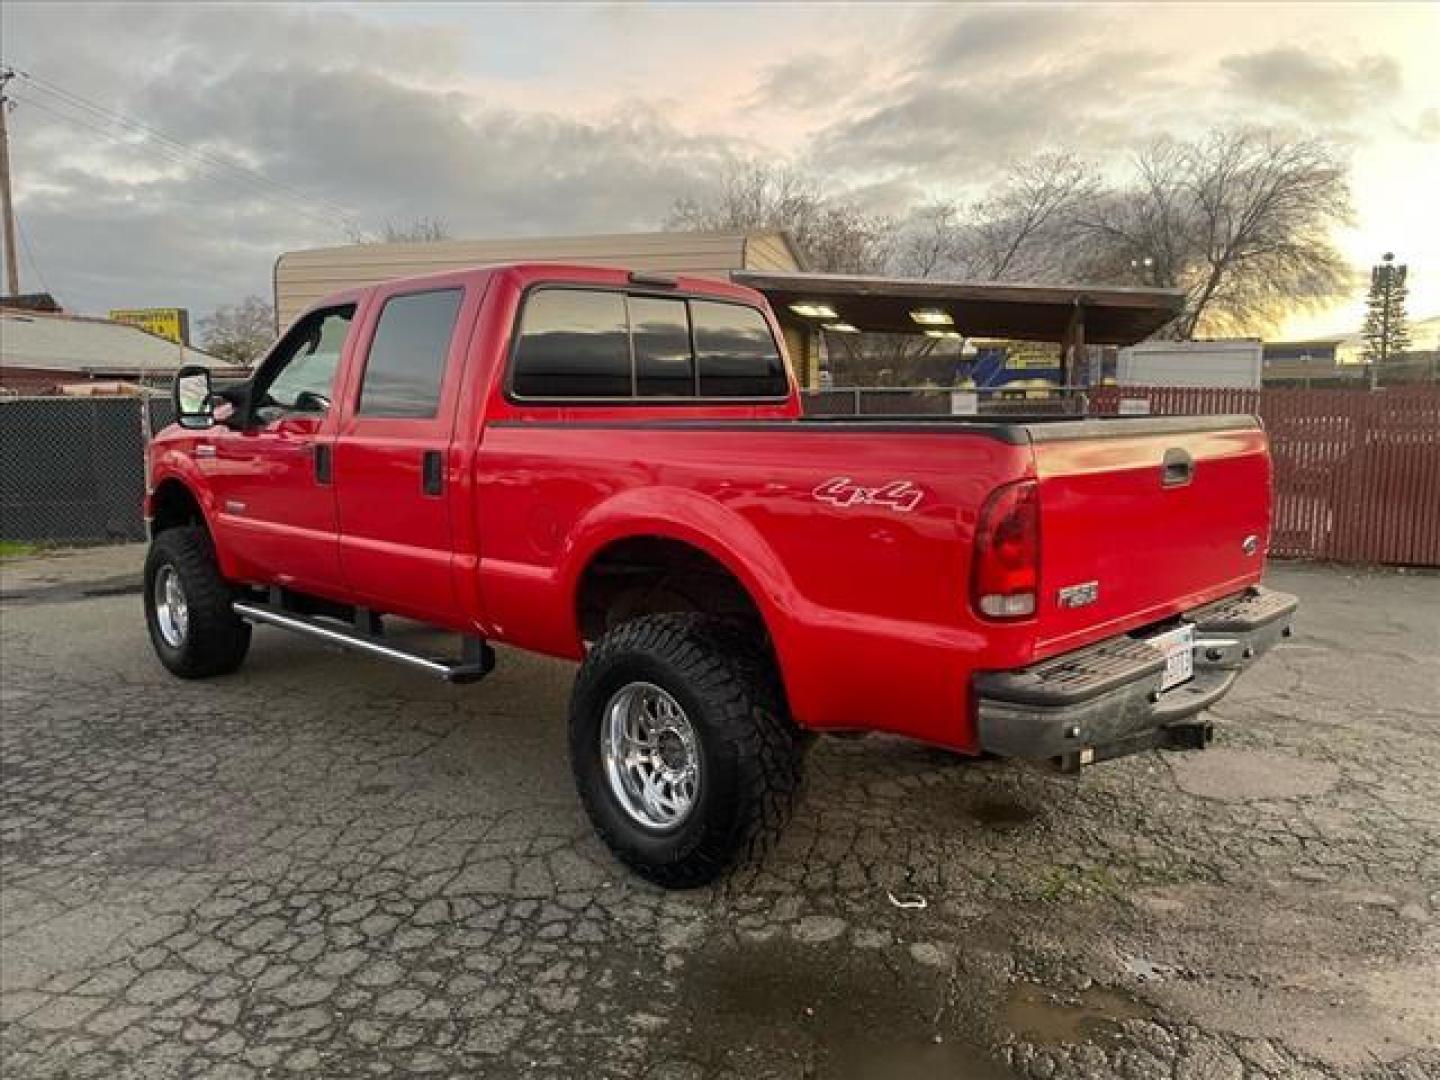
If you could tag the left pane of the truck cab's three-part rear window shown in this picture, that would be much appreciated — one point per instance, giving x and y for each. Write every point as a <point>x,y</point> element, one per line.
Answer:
<point>574,343</point>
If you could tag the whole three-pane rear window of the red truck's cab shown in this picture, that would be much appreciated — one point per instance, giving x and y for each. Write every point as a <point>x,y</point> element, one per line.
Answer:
<point>591,345</point>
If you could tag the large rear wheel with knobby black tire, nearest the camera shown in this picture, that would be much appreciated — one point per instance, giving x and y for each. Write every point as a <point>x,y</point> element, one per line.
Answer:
<point>683,752</point>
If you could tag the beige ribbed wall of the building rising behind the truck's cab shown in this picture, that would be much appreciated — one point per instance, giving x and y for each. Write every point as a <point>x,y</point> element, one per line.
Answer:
<point>306,277</point>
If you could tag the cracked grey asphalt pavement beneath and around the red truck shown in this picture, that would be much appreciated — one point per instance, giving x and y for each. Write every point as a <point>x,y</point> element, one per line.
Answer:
<point>330,868</point>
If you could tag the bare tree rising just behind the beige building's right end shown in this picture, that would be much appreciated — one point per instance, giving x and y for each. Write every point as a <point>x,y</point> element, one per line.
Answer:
<point>836,237</point>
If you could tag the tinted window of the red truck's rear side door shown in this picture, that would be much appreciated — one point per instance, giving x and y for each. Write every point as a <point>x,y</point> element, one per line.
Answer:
<point>407,365</point>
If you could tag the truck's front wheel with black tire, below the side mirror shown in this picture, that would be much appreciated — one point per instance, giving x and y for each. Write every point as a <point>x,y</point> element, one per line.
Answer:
<point>194,630</point>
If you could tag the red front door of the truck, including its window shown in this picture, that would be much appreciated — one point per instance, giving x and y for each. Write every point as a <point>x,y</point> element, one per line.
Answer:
<point>276,505</point>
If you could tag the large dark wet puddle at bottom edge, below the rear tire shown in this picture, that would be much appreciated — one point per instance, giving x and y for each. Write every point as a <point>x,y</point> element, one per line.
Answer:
<point>836,1013</point>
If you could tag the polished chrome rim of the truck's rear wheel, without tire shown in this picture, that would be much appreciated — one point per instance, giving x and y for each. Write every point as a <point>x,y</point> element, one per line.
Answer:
<point>652,755</point>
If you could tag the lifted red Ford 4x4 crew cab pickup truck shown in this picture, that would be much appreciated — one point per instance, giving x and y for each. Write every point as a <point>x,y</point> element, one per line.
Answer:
<point>614,469</point>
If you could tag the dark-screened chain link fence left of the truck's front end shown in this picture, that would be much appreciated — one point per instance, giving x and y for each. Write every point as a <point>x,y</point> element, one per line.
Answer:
<point>73,470</point>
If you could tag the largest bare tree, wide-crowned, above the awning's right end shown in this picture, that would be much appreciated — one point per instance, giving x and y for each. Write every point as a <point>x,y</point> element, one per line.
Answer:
<point>1241,221</point>
